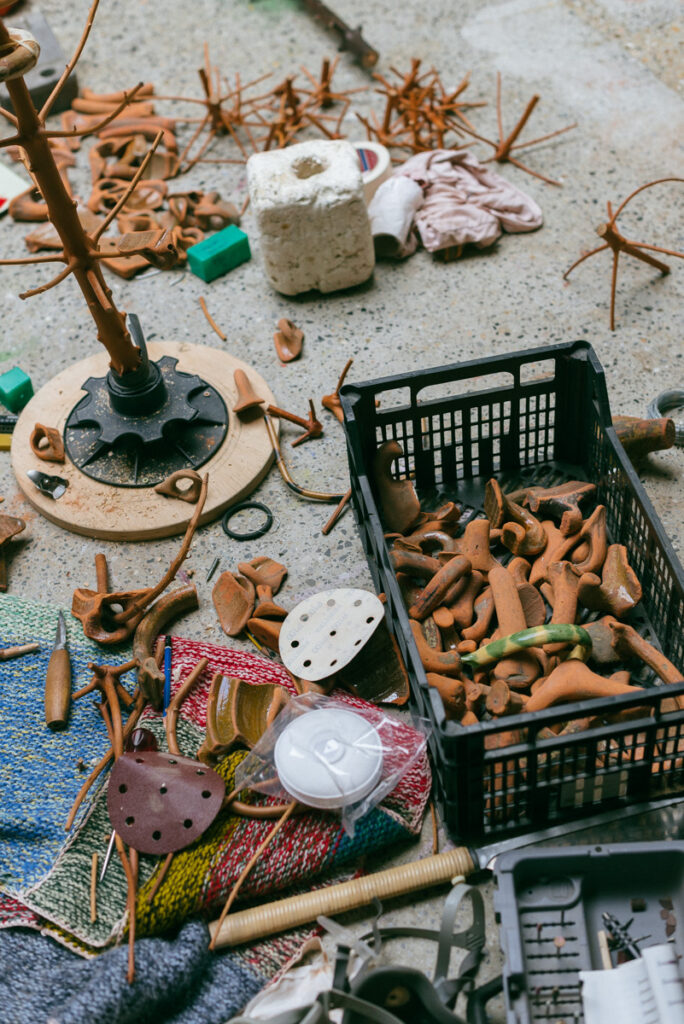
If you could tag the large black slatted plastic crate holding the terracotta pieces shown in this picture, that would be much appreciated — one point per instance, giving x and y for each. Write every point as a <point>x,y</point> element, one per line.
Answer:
<point>540,417</point>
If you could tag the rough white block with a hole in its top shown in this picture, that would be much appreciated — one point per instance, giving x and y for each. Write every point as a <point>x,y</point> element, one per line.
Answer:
<point>309,200</point>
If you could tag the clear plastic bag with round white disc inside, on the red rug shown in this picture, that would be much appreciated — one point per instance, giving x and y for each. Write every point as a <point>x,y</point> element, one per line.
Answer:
<point>333,755</point>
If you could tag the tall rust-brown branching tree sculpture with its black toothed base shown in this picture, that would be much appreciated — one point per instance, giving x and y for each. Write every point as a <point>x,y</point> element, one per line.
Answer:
<point>117,409</point>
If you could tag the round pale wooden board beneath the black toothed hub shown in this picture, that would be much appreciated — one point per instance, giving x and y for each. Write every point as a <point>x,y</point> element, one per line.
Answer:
<point>103,510</point>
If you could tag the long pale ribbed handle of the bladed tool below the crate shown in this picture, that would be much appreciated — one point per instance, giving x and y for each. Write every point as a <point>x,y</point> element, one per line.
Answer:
<point>246,926</point>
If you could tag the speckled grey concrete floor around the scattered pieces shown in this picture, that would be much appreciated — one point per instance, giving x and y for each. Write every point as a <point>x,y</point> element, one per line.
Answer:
<point>611,66</point>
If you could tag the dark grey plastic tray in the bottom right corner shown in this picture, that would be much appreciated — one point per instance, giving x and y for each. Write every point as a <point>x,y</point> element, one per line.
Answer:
<point>547,895</point>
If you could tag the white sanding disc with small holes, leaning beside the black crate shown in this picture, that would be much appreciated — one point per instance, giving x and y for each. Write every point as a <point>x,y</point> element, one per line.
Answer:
<point>324,633</point>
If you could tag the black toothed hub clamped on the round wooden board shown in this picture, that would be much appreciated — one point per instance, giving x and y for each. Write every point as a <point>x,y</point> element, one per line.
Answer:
<point>136,431</point>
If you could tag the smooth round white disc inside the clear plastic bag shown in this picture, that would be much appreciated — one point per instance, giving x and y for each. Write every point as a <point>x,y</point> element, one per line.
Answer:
<point>329,758</point>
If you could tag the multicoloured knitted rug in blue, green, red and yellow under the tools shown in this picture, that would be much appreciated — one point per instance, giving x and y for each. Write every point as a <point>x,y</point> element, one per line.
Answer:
<point>310,845</point>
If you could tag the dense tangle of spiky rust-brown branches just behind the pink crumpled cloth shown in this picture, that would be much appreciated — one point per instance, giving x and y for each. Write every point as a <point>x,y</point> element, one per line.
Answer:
<point>420,114</point>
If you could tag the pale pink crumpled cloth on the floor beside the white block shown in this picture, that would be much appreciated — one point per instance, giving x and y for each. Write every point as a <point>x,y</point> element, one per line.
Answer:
<point>466,202</point>
